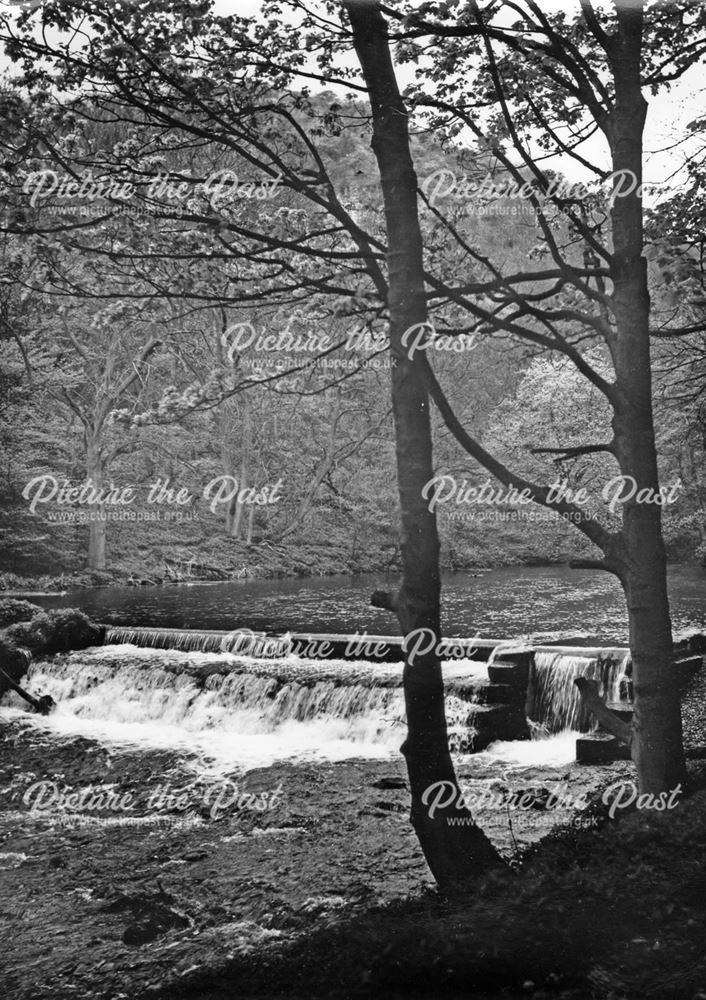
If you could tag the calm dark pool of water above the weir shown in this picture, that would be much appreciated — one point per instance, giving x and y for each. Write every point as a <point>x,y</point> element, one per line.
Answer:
<point>501,603</point>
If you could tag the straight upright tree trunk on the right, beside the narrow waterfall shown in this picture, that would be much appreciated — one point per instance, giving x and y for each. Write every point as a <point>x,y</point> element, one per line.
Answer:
<point>657,742</point>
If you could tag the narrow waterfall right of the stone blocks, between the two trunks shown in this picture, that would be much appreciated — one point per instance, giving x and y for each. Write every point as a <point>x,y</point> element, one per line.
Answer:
<point>553,701</point>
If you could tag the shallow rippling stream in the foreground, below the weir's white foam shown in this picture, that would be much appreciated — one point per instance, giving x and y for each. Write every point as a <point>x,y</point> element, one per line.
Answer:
<point>127,872</point>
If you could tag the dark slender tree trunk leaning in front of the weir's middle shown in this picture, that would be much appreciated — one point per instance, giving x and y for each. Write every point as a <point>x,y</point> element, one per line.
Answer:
<point>453,852</point>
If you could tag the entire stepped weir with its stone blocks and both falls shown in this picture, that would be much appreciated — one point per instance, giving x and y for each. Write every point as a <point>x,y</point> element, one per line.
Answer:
<point>317,691</point>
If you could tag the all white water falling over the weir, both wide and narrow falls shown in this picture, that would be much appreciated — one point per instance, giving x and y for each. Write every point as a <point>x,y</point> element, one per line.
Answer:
<point>245,699</point>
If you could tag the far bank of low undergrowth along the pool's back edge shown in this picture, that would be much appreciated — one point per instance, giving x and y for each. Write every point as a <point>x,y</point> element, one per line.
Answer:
<point>199,547</point>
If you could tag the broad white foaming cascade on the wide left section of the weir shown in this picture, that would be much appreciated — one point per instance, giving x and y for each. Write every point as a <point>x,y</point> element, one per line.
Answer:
<point>239,711</point>
